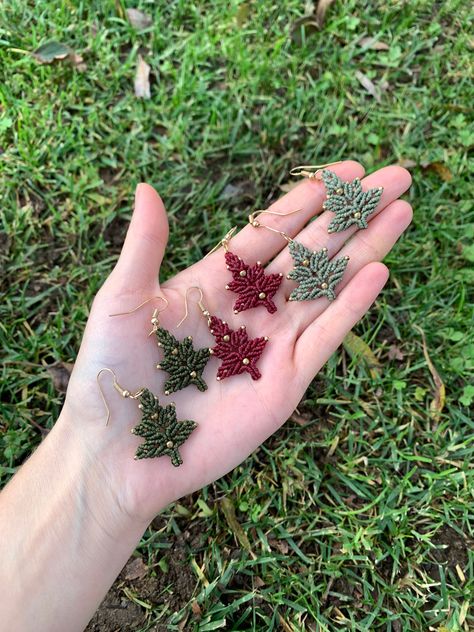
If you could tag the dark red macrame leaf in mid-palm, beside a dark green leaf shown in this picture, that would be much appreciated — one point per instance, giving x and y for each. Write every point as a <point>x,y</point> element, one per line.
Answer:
<point>237,351</point>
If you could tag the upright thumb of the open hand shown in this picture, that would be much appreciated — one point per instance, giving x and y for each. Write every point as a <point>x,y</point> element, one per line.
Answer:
<point>146,240</point>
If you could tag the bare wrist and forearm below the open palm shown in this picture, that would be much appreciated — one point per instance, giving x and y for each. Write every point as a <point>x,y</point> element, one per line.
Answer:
<point>63,526</point>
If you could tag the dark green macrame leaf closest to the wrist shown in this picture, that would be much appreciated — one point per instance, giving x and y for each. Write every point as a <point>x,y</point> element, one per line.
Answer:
<point>162,432</point>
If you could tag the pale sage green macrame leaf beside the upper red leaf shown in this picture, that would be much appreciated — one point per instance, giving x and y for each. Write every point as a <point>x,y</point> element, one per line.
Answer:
<point>316,275</point>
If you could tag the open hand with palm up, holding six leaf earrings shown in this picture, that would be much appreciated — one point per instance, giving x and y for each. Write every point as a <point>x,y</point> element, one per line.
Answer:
<point>237,414</point>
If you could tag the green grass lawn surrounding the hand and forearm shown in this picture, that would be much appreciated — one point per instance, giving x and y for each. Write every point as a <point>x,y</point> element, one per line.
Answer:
<point>358,520</point>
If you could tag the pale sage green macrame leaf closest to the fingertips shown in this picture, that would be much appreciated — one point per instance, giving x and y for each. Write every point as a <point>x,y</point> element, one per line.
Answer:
<point>349,202</point>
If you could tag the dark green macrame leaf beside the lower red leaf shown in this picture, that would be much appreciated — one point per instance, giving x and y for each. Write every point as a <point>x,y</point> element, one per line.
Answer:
<point>183,363</point>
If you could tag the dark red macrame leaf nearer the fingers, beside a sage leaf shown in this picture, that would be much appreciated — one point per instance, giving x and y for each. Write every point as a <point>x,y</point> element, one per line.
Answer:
<point>252,284</point>
